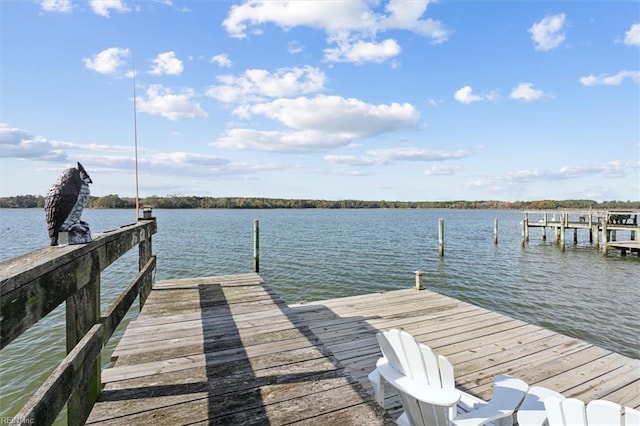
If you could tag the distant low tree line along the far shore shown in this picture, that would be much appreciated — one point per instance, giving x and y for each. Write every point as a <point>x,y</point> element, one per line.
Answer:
<point>113,201</point>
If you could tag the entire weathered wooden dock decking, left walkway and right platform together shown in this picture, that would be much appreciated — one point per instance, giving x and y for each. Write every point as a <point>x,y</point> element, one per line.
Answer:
<point>226,350</point>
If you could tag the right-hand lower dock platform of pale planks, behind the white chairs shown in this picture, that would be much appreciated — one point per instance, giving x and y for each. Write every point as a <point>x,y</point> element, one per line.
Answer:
<point>479,343</point>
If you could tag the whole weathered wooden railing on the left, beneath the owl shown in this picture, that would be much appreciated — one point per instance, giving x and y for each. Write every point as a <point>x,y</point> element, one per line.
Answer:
<point>32,285</point>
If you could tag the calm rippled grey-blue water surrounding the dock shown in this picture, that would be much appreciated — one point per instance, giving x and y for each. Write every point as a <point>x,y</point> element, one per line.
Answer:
<point>319,254</point>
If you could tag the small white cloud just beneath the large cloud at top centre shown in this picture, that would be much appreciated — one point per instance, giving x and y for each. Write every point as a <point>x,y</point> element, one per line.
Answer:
<point>362,51</point>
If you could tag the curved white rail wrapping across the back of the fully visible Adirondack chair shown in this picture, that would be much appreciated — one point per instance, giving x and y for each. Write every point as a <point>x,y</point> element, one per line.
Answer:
<point>421,391</point>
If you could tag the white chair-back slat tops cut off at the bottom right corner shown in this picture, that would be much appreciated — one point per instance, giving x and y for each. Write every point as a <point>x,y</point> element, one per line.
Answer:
<point>572,412</point>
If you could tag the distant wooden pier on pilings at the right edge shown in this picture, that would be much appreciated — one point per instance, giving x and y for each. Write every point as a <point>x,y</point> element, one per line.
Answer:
<point>603,227</point>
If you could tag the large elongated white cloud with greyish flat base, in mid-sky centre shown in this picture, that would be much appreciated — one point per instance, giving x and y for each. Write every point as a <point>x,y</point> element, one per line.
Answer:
<point>337,115</point>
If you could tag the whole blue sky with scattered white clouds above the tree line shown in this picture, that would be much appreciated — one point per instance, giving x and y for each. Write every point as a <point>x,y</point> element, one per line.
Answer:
<point>328,99</point>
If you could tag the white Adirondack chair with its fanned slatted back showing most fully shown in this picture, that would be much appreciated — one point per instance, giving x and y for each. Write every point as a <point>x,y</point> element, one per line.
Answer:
<point>425,383</point>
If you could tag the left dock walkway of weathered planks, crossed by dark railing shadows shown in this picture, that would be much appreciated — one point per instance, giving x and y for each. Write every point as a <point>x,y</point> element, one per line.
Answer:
<point>226,350</point>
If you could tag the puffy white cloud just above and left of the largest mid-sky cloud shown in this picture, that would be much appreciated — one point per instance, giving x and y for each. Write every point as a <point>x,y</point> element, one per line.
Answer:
<point>258,84</point>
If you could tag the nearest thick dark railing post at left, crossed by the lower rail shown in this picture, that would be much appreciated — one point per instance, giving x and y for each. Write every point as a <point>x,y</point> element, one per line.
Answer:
<point>82,312</point>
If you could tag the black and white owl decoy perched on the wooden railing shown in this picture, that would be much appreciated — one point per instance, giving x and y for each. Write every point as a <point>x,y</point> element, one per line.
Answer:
<point>64,204</point>
